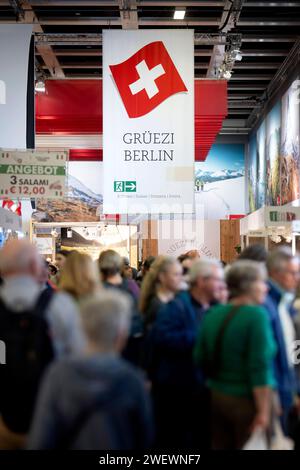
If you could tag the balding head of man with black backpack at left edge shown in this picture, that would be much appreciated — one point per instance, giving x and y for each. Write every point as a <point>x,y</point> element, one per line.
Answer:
<point>20,257</point>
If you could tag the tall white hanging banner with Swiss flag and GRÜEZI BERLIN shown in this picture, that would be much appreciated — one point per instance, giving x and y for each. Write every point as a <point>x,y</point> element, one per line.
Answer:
<point>148,121</point>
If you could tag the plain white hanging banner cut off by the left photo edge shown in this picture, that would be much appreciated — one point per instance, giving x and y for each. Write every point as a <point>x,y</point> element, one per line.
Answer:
<point>14,57</point>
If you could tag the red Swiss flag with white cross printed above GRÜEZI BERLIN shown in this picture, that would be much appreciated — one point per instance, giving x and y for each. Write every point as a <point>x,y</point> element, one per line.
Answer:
<point>146,79</point>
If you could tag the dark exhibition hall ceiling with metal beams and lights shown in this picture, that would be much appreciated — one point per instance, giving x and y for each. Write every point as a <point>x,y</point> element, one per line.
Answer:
<point>247,42</point>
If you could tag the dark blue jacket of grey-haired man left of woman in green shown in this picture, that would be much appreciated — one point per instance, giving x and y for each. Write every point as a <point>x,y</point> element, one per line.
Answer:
<point>174,335</point>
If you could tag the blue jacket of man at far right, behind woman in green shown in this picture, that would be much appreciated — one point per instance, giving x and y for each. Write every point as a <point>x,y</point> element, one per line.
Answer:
<point>285,376</point>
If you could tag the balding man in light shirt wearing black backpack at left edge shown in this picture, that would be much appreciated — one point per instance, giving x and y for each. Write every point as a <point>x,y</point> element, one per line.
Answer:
<point>35,325</point>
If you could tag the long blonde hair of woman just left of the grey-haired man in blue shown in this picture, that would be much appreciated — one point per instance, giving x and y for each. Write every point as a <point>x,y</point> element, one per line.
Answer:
<point>153,279</point>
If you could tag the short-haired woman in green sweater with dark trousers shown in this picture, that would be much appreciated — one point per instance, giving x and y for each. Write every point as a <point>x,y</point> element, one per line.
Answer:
<point>235,348</point>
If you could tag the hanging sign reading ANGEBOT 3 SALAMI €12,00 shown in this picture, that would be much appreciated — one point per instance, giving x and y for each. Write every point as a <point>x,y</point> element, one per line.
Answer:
<point>32,174</point>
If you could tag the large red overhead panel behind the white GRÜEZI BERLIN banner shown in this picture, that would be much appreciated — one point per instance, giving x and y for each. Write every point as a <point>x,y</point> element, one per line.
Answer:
<point>74,107</point>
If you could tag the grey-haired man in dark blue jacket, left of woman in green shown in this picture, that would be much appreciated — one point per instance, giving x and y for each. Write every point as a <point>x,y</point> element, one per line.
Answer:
<point>180,398</point>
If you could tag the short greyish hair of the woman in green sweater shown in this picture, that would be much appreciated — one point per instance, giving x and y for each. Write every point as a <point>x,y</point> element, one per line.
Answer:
<point>242,275</point>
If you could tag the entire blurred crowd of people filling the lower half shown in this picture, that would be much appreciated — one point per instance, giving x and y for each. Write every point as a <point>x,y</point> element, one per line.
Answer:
<point>183,354</point>
